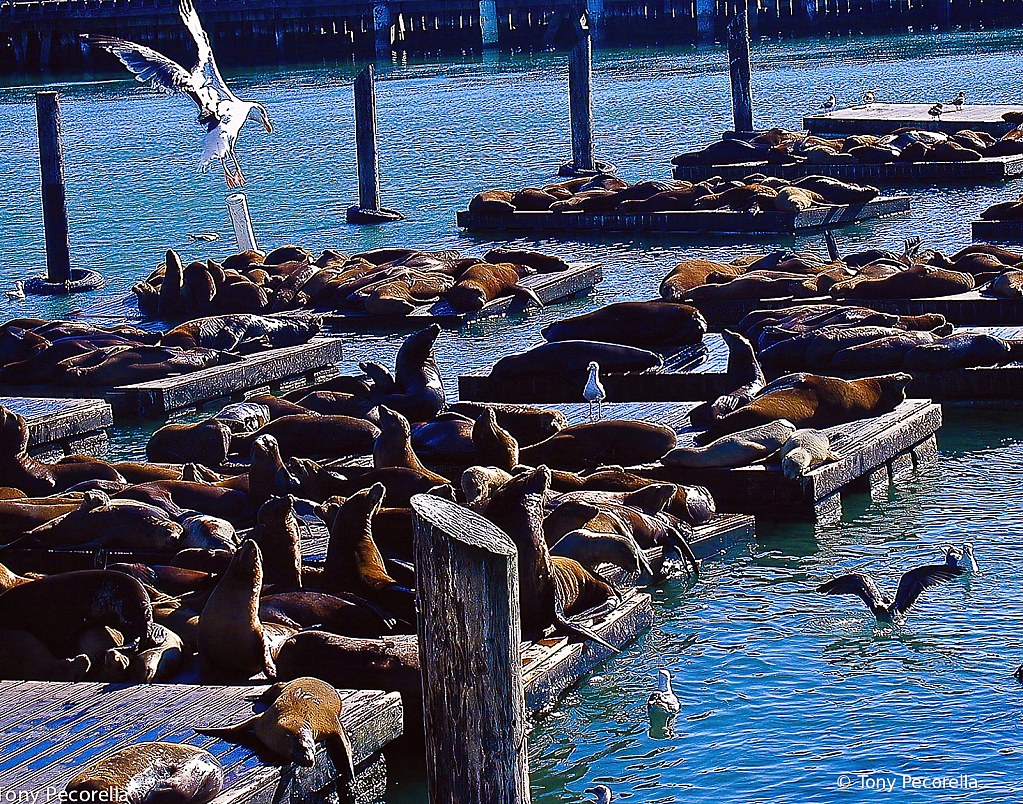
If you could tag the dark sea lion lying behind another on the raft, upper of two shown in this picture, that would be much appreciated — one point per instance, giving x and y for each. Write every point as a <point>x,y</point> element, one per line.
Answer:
<point>655,326</point>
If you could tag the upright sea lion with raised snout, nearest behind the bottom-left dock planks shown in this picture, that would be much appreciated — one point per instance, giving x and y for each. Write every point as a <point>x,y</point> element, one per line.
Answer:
<point>233,642</point>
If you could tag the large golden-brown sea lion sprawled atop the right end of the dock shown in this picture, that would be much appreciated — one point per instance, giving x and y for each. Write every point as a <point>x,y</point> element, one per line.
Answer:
<point>816,401</point>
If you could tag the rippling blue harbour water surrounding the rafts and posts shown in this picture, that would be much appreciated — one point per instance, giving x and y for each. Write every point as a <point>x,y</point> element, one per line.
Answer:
<point>786,695</point>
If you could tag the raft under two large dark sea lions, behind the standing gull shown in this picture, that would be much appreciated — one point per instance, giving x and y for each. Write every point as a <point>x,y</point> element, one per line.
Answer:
<point>683,378</point>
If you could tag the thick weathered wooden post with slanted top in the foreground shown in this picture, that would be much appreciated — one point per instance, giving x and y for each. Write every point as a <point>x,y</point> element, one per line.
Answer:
<point>470,632</point>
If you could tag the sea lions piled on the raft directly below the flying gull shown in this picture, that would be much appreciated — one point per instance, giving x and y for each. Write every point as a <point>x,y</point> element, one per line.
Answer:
<point>384,282</point>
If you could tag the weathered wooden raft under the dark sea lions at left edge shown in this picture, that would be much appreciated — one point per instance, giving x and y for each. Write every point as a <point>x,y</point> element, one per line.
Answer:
<point>275,372</point>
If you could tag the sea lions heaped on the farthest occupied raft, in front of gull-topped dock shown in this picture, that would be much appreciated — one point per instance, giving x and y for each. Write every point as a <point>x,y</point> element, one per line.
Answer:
<point>779,147</point>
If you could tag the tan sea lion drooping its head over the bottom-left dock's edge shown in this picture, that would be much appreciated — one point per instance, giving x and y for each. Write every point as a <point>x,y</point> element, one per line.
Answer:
<point>304,712</point>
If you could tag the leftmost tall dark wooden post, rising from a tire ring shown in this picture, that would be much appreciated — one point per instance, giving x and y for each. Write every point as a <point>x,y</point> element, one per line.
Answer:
<point>55,200</point>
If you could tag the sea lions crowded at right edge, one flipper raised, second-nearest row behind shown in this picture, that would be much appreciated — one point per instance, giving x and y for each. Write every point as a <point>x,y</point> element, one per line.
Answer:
<point>875,274</point>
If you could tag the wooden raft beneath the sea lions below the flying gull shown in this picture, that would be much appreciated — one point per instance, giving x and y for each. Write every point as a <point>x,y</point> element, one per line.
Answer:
<point>550,288</point>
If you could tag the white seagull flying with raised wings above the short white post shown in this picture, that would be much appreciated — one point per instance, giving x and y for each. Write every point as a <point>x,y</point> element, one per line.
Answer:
<point>220,111</point>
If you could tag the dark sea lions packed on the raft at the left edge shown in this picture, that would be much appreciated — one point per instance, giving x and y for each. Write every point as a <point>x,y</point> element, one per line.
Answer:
<point>73,353</point>
